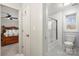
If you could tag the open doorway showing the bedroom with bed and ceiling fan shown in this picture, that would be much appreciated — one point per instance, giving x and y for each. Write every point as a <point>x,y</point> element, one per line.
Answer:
<point>9,31</point>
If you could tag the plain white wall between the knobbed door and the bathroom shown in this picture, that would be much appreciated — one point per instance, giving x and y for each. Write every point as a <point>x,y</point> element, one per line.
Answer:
<point>36,29</point>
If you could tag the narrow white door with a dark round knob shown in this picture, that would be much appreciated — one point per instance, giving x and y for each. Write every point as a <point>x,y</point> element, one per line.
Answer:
<point>26,29</point>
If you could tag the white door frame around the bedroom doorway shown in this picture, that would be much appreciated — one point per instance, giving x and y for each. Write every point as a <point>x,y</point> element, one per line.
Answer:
<point>19,25</point>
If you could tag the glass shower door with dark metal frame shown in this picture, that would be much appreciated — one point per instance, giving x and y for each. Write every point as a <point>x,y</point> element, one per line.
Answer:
<point>52,30</point>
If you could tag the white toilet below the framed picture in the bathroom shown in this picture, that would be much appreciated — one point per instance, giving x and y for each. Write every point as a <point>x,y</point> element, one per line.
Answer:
<point>69,44</point>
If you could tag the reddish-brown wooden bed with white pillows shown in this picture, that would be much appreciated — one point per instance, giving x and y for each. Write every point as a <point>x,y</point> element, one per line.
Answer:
<point>9,35</point>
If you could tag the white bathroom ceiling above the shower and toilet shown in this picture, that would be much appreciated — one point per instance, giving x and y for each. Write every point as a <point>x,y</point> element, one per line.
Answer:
<point>56,7</point>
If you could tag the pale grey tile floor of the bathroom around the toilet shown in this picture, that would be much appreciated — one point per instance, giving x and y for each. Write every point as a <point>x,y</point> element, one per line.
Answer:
<point>55,49</point>
